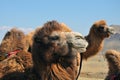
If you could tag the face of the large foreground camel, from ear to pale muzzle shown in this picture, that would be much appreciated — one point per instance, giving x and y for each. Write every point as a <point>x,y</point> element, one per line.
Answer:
<point>61,41</point>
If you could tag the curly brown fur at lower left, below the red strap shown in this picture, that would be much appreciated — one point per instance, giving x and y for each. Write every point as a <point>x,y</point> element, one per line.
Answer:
<point>19,63</point>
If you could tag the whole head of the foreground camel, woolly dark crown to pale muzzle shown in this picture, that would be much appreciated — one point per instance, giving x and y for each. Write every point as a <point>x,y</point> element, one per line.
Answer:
<point>53,39</point>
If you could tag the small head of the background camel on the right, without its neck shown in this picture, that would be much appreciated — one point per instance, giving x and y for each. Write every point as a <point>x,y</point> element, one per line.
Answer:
<point>101,29</point>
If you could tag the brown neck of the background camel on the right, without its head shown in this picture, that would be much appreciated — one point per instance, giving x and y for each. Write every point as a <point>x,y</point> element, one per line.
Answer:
<point>95,44</point>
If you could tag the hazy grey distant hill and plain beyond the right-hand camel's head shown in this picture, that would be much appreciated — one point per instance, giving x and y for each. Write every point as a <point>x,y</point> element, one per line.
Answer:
<point>114,41</point>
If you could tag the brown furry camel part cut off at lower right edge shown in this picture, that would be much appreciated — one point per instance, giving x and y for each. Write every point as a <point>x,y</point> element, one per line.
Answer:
<point>113,59</point>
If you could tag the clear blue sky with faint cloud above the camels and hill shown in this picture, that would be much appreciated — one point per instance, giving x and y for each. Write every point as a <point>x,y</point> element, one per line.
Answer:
<point>79,15</point>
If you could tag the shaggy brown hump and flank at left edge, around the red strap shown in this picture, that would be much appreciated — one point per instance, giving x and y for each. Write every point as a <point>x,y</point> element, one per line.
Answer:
<point>14,40</point>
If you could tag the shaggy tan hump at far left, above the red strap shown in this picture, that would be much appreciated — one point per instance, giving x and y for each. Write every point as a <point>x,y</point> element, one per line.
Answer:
<point>13,40</point>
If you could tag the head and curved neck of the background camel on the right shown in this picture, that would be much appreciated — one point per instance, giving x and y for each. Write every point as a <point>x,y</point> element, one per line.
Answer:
<point>98,32</point>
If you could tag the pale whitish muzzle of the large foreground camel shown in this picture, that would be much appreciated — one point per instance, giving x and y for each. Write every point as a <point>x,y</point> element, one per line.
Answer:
<point>76,41</point>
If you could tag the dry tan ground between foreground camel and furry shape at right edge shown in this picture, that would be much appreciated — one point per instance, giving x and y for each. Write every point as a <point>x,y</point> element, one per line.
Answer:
<point>94,68</point>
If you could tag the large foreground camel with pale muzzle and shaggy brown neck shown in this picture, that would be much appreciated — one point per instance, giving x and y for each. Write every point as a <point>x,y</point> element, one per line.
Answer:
<point>54,54</point>
